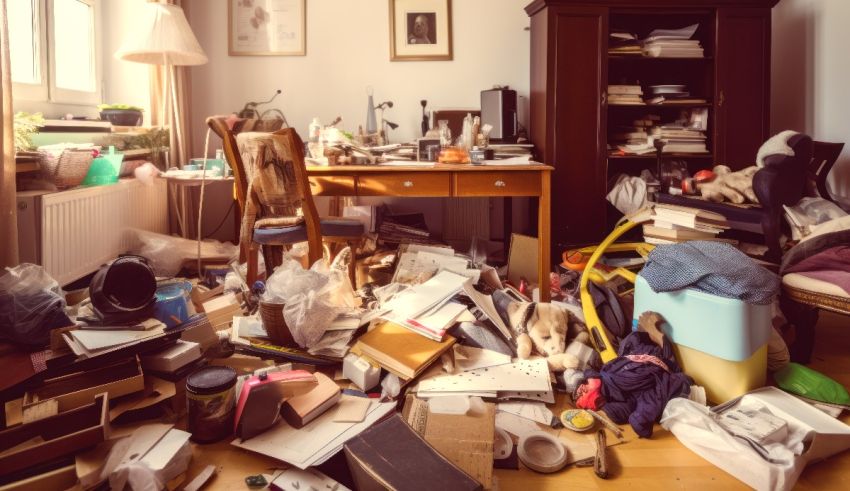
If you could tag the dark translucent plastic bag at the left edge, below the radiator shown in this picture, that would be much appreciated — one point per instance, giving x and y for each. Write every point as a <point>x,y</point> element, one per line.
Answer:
<point>31,305</point>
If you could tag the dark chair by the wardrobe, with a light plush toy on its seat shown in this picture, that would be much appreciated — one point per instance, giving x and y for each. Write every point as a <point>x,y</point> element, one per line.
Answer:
<point>782,181</point>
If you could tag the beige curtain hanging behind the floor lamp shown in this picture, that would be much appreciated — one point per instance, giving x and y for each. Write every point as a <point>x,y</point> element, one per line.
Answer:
<point>180,132</point>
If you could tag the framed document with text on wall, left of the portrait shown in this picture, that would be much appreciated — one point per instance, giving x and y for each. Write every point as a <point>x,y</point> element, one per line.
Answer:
<point>267,27</point>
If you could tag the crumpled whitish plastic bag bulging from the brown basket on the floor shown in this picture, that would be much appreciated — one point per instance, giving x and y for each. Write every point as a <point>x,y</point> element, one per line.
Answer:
<point>312,298</point>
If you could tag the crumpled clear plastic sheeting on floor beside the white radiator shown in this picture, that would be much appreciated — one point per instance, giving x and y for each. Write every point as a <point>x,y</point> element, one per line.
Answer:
<point>166,254</point>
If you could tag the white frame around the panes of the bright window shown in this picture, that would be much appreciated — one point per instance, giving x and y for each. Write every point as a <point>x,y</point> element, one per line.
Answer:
<point>47,94</point>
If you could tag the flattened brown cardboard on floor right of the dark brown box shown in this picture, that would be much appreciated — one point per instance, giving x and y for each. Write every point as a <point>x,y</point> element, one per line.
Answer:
<point>465,439</point>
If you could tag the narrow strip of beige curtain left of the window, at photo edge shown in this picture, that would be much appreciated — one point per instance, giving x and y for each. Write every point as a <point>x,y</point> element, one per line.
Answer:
<point>8,214</point>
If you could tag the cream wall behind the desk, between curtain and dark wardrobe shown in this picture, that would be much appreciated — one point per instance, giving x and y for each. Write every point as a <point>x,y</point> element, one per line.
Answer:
<point>348,50</point>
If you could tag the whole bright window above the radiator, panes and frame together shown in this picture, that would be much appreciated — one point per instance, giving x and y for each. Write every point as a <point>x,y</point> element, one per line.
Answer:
<point>54,51</point>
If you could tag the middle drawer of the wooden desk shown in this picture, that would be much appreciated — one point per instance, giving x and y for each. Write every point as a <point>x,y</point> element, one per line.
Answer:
<point>406,184</point>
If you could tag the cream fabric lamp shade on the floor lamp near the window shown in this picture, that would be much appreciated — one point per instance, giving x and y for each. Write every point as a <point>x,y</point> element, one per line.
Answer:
<point>162,36</point>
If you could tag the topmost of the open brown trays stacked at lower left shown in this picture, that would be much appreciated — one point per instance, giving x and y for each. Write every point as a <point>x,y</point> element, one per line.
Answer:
<point>79,389</point>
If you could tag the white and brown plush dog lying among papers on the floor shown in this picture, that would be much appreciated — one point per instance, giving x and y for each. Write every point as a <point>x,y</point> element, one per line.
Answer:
<point>545,328</point>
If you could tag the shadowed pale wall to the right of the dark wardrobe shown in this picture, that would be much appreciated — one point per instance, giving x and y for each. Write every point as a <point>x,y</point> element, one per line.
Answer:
<point>811,76</point>
